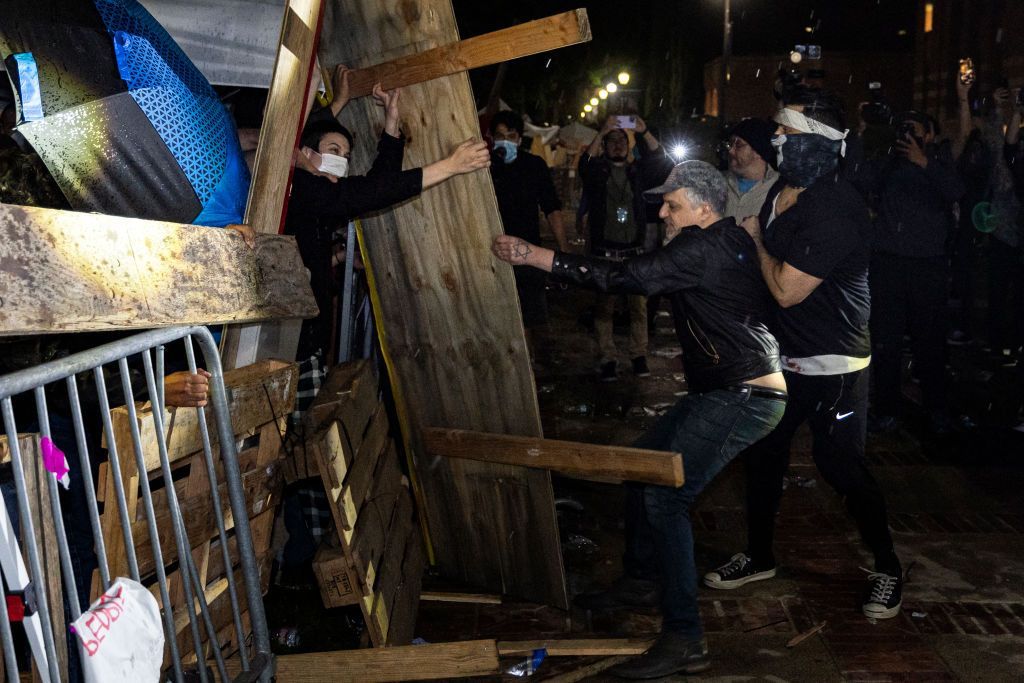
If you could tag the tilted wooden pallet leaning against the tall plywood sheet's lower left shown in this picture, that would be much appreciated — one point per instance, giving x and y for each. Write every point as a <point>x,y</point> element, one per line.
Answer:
<point>373,510</point>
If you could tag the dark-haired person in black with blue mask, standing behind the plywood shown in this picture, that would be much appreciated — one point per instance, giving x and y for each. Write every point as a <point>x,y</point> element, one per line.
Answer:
<point>524,185</point>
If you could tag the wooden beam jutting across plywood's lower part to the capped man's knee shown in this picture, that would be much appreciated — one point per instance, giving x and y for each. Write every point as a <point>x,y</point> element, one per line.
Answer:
<point>585,461</point>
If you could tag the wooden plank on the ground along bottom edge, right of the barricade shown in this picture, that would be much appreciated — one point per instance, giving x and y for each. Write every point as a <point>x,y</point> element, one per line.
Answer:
<point>408,663</point>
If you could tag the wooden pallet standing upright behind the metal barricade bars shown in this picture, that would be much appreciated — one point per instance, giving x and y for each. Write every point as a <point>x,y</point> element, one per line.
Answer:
<point>261,399</point>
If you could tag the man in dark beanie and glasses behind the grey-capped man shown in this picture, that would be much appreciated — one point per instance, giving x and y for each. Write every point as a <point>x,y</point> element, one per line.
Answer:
<point>751,173</point>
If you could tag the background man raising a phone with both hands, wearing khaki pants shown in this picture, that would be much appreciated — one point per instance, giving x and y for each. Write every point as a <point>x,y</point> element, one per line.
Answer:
<point>614,187</point>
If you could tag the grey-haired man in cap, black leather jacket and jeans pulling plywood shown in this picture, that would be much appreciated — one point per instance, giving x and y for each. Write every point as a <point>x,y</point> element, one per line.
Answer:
<point>710,273</point>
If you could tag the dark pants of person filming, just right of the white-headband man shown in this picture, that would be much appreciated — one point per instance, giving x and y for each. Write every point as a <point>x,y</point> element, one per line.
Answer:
<point>909,295</point>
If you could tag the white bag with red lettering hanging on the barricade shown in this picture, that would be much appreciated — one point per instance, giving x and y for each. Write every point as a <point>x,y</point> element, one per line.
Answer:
<point>121,635</point>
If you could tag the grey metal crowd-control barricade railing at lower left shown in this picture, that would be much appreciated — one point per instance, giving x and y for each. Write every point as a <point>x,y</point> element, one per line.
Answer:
<point>28,580</point>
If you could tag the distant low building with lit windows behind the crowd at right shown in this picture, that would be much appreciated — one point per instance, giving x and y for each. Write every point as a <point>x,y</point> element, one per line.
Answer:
<point>752,80</point>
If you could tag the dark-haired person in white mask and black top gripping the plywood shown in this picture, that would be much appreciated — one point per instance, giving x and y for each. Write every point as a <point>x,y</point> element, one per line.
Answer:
<point>325,196</point>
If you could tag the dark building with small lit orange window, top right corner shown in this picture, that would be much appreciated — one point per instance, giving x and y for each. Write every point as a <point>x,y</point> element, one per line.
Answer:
<point>991,32</point>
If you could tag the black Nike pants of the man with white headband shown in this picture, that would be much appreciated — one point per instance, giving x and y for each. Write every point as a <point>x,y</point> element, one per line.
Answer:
<point>837,409</point>
